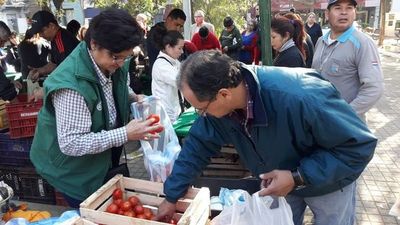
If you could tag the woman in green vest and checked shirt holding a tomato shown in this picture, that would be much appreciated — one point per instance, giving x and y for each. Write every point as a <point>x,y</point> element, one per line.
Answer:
<point>84,120</point>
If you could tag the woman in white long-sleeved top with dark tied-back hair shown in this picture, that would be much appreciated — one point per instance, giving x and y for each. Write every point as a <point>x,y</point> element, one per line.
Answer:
<point>165,72</point>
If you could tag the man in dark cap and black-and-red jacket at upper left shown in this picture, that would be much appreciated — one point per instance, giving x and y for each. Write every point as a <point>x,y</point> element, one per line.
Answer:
<point>62,42</point>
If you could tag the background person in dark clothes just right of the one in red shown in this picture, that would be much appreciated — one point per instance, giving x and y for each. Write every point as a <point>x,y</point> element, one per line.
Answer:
<point>230,39</point>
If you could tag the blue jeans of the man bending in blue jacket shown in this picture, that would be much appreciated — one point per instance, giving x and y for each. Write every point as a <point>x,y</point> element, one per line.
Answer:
<point>336,208</point>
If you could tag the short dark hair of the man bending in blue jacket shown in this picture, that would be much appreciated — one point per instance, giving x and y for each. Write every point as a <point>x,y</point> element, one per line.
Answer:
<point>206,72</point>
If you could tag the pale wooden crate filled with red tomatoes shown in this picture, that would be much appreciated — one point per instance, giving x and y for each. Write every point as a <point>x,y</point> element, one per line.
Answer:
<point>124,200</point>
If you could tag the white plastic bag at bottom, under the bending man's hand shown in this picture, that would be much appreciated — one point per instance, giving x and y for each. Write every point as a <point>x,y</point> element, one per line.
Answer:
<point>256,210</point>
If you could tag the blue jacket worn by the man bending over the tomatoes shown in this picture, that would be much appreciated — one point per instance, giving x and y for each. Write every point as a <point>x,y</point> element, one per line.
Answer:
<point>299,121</point>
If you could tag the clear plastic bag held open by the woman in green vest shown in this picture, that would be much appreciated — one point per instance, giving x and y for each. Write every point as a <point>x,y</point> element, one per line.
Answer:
<point>159,154</point>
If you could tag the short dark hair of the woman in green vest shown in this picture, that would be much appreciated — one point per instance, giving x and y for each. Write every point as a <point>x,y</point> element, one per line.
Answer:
<point>115,30</point>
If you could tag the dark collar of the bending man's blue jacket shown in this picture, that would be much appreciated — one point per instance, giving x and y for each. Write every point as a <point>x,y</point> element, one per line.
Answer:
<point>251,78</point>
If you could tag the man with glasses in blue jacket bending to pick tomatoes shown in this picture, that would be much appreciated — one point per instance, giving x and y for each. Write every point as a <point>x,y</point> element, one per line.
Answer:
<point>289,126</point>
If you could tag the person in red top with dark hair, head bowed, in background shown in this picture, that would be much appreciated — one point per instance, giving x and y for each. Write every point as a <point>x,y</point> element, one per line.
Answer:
<point>204,40</point>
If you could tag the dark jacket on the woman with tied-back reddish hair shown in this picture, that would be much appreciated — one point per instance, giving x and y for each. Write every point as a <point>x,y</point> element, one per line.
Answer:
<point>290,57</point>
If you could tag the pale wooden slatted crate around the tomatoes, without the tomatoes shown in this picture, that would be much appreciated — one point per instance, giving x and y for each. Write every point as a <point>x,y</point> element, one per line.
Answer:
<point>193,209</point>
